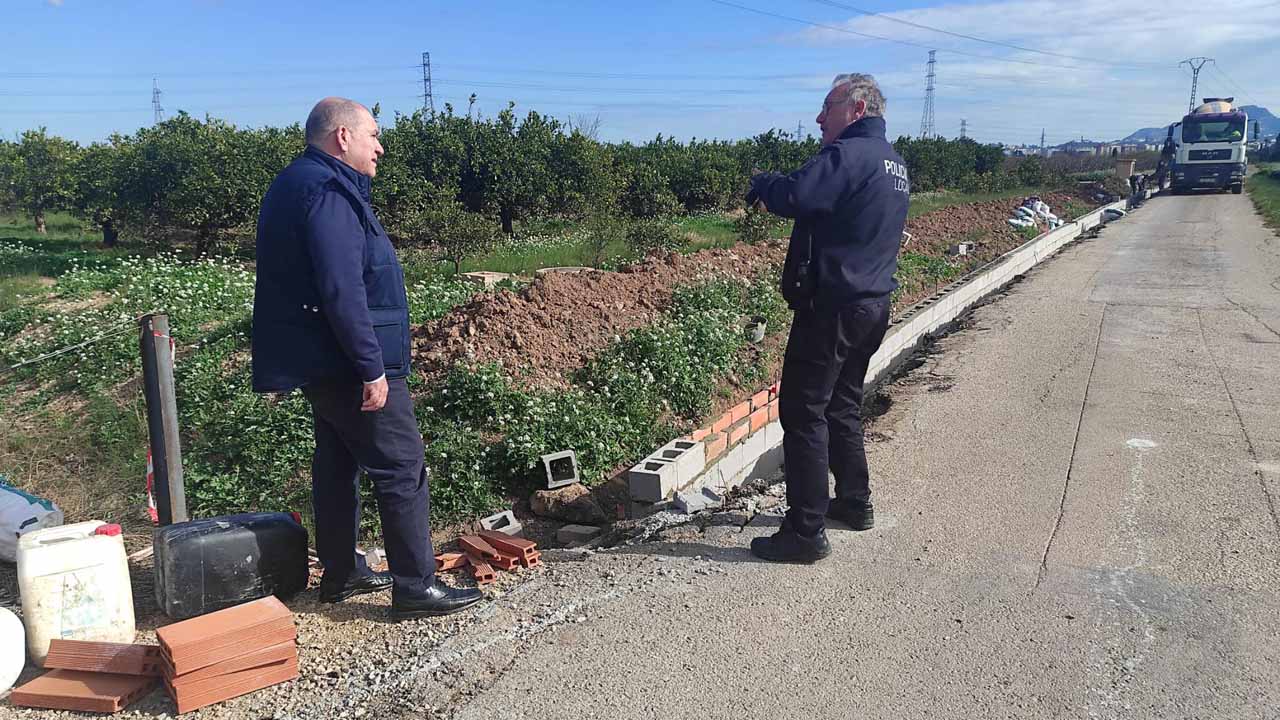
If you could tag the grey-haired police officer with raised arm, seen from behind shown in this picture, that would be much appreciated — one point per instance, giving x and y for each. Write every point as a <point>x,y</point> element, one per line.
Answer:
<point>849,204</point>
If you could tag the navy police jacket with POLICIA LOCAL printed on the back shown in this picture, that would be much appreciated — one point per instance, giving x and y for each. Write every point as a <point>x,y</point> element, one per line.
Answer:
<point>852,200</point>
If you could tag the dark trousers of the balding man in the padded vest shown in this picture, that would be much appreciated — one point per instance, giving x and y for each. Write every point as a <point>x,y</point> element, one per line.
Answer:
<point>387,445</point>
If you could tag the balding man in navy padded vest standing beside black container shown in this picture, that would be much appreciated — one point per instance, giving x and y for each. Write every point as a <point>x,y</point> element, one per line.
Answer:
<point>331,317</point>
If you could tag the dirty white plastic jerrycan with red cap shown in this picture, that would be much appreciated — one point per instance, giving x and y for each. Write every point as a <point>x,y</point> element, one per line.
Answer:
<point>75,585</point>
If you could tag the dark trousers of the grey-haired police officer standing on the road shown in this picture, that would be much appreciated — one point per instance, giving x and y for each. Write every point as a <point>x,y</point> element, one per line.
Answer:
<point>821,408</point>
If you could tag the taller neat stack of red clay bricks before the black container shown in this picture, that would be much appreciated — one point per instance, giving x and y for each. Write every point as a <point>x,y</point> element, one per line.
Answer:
<point>228,654</point>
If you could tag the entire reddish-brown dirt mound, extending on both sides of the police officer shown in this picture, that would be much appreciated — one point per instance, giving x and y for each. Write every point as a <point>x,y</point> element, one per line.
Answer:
<point>554,327</point>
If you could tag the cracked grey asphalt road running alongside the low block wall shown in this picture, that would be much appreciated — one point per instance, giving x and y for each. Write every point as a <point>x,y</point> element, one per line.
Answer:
<point>1077,500</point>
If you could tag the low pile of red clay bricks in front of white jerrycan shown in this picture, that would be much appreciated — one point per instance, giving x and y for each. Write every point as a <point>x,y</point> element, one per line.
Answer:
<point>92,677</point>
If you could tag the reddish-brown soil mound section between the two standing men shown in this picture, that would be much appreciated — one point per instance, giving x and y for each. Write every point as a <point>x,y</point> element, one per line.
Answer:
<point>560,322</point>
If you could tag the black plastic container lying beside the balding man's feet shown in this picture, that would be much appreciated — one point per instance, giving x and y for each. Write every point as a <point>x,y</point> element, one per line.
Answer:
<point>207,566</point>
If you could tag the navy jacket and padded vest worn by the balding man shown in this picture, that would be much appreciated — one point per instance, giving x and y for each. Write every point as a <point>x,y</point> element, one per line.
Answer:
<point>330,303</point>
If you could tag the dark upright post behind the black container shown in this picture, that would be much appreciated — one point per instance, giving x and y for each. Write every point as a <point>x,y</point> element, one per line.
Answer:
<point>163,420</point>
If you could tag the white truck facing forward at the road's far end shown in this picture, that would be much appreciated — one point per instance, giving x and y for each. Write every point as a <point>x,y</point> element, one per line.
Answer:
<point>1212,147</point>
